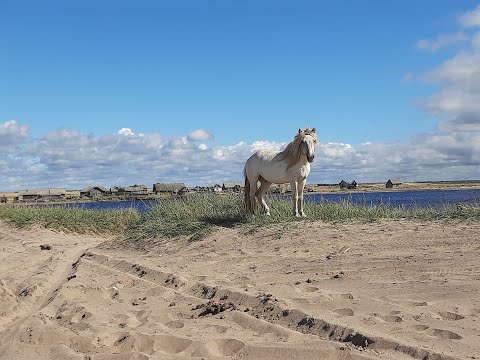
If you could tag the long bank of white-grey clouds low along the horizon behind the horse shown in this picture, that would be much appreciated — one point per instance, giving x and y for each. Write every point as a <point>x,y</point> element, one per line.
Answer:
<point>72,159</point>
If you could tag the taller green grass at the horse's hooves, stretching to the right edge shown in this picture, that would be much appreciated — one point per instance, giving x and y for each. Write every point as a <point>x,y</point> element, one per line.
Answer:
<point>198,215</point>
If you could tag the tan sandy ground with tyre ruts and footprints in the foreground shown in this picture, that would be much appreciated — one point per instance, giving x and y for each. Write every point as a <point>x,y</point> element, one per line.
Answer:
<point>306,290</point>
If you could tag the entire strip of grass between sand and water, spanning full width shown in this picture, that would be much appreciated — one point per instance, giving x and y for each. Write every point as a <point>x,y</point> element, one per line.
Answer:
<point>197,215</point>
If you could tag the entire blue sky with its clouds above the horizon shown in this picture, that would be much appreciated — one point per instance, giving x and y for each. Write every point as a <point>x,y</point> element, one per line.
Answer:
<point>72,74</point>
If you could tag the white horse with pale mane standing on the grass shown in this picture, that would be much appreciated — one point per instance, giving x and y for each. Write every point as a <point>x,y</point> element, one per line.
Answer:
<point>291,165</point>
